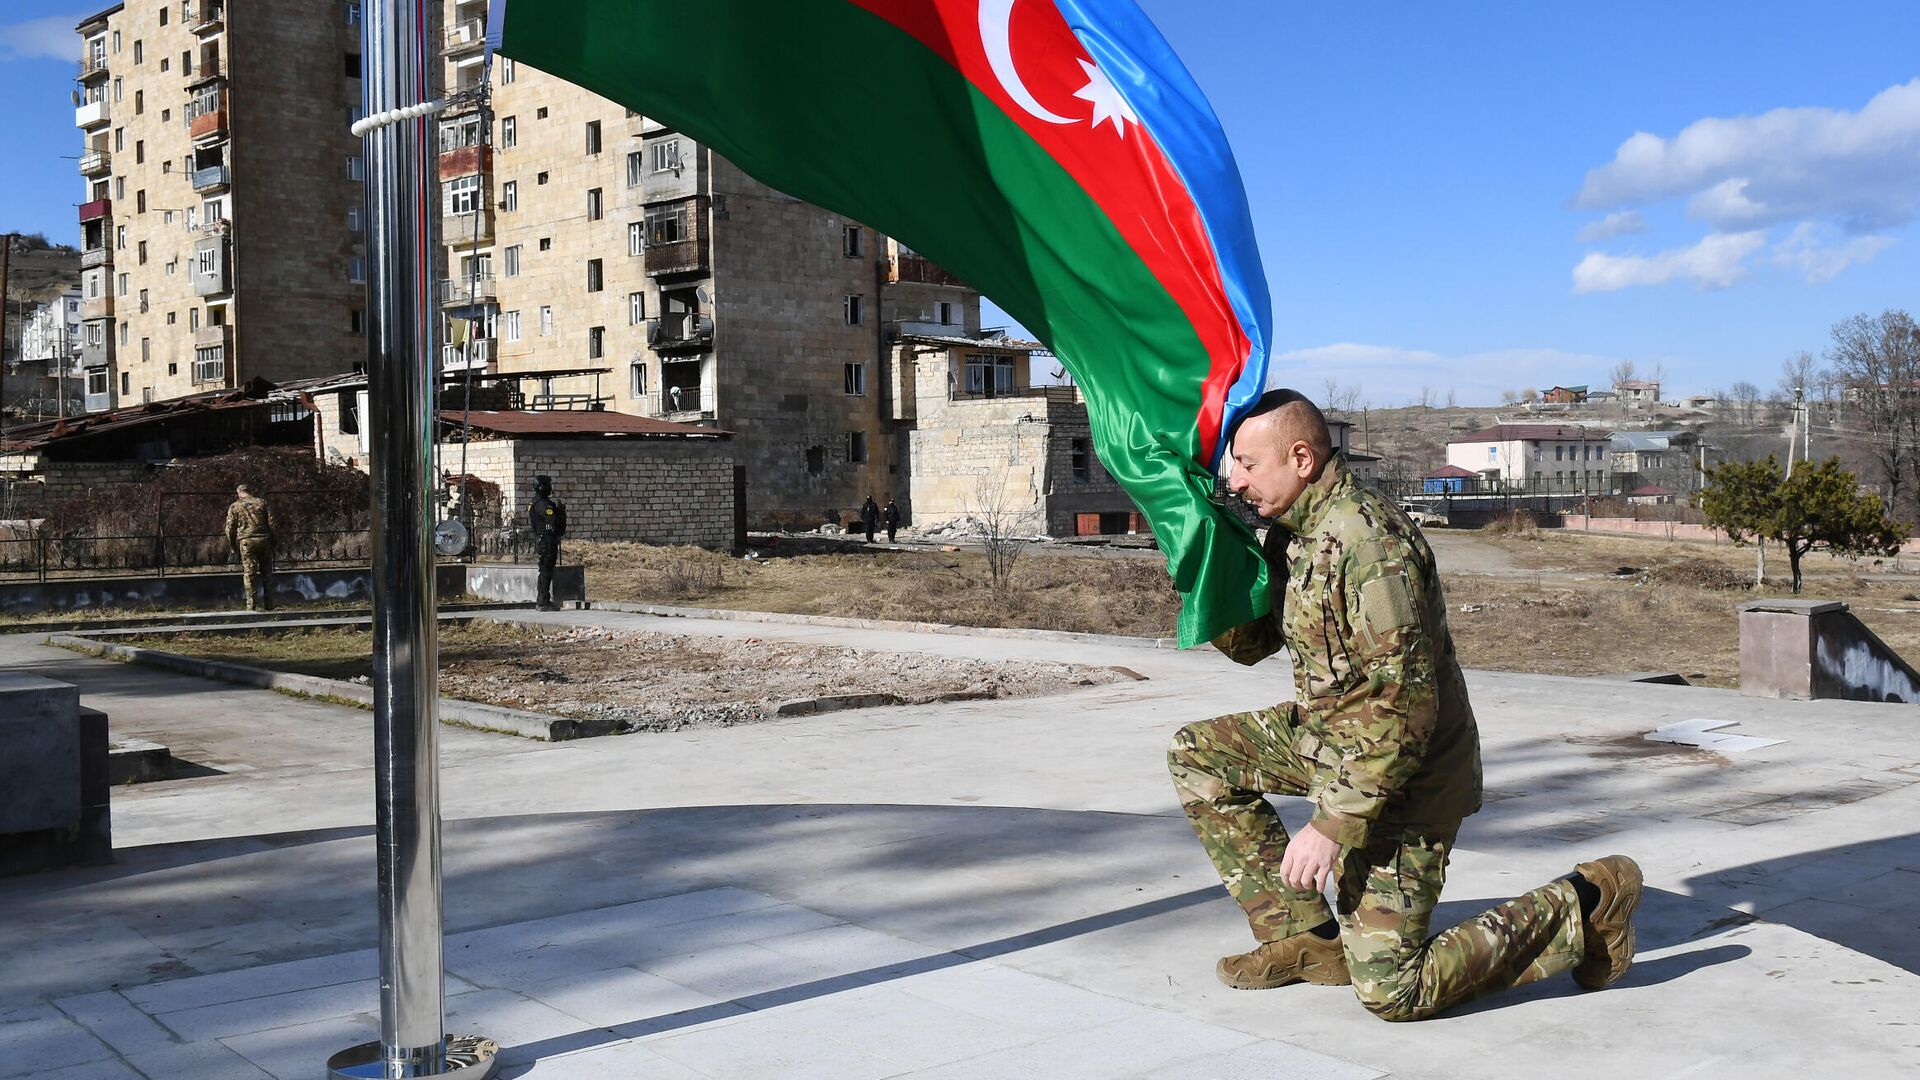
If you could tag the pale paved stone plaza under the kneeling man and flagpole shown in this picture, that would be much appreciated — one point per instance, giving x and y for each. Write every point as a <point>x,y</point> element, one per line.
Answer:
<point>963,891</point>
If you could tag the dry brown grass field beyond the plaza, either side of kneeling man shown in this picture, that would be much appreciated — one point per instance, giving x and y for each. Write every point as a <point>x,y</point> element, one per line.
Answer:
<point>1543,602</point>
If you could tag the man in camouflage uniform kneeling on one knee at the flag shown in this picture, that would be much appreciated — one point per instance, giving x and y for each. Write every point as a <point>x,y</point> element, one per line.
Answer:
<point>1385,747</point>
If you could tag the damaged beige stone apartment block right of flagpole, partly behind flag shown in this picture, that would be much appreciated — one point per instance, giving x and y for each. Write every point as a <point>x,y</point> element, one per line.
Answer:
<point>602,239</point>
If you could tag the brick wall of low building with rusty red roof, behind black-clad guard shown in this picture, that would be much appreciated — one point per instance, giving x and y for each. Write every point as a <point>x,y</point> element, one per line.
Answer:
<point>652,491</point>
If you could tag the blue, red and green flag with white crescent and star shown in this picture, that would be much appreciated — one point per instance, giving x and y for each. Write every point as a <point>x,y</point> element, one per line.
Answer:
<point>1053,155</point>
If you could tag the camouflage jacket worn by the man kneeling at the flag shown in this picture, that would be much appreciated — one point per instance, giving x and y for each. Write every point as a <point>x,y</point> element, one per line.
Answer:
<point>1383,706</point>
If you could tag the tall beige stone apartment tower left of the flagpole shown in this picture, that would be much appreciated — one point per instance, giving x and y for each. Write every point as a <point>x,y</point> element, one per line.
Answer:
<point>222,199</point>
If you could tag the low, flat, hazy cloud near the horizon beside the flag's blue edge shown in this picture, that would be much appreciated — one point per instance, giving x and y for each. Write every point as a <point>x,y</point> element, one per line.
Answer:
<point>1393,376</point>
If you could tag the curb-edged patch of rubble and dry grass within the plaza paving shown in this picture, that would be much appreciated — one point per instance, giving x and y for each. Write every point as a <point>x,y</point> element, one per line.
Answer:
<point>648,681</point>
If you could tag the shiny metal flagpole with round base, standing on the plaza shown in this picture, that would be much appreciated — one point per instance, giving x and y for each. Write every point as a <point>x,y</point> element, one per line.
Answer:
<point>398,55</point>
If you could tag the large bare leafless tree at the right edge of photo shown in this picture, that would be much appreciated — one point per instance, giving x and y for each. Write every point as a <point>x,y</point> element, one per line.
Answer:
<point>1877,368</point>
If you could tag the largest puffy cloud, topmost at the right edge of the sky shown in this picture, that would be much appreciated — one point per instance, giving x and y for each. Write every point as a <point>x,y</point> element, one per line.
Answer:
<point>1792,164</point>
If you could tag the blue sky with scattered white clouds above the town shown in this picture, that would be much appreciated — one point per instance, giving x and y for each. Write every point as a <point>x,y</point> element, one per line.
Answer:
<point>1472,197</point>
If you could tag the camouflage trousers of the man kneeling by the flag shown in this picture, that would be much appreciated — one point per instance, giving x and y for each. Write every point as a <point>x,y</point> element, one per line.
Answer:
<point>1387,891</point>
